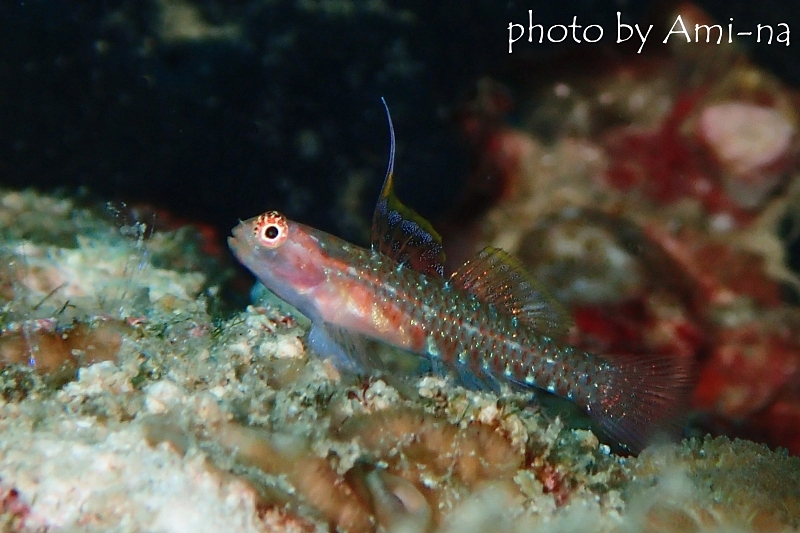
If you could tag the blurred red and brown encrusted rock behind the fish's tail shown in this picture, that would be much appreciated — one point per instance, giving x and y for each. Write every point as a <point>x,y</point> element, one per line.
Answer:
<point>683,201</point>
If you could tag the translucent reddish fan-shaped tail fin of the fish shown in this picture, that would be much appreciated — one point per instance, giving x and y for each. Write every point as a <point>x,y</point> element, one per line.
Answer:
<point>644,399</point>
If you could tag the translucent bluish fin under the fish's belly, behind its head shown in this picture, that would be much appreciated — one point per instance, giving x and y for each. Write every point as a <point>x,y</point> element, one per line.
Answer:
<point>354,353</point>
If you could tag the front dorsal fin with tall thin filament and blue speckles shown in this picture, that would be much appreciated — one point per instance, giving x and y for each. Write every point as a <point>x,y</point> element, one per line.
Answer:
<point>399,232</point>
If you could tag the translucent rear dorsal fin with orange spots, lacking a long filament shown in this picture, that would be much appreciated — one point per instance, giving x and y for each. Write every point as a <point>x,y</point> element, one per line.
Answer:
<point>497,278</point>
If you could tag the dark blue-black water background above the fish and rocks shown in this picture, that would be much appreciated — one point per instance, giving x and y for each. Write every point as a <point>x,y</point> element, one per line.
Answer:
<point>274,104</point>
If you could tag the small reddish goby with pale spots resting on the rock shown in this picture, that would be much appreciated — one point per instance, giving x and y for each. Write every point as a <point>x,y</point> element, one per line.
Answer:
<point>489,323</point>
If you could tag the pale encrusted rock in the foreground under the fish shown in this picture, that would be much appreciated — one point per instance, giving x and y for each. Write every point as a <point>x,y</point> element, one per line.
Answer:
<point>202,425</point>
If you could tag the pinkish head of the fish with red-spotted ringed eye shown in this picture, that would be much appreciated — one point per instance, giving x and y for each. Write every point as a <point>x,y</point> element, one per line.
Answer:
<point>287,257</point>
